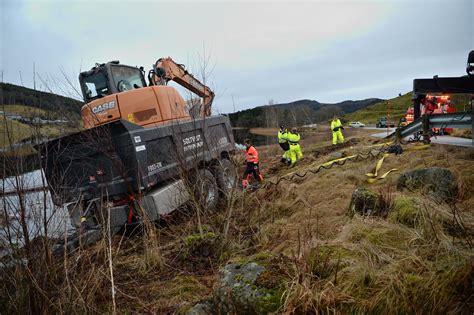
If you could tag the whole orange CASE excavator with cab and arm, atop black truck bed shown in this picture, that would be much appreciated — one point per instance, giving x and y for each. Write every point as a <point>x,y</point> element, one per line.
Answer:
<point>114,91</point>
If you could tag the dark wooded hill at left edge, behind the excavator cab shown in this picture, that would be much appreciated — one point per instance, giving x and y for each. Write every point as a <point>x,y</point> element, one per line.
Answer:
<point>11,94</point>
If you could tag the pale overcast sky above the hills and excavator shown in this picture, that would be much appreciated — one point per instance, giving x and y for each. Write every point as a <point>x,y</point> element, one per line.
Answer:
<point>327,51</point>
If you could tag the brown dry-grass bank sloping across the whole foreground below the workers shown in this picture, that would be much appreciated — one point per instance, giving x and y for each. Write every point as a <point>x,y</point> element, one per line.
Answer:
<point>411,256</point>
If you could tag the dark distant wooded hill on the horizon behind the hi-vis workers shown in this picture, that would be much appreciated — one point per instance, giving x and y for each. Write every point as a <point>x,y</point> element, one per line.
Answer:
<point>299,113</point>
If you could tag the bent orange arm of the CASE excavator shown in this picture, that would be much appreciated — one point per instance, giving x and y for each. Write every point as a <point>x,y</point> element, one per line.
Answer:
<point>166,69</point>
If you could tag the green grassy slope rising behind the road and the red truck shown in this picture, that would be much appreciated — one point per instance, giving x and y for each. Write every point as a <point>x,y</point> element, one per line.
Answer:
<point>398,107</point>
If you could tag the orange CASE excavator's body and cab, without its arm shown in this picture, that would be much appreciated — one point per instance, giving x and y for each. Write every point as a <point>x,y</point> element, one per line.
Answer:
<point>113,91</point>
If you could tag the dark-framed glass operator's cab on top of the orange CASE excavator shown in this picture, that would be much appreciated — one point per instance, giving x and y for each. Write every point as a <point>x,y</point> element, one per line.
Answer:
<point>110,78</point>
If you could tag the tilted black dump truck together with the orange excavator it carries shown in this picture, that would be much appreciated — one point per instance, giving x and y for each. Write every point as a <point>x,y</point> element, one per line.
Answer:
<point>144,153</point>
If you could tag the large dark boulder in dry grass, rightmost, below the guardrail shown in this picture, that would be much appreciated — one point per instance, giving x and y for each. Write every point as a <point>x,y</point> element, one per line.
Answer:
<point>437,182</point>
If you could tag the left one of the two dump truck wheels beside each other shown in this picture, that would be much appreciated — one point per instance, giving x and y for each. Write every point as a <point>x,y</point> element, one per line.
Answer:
<point>205,189</point>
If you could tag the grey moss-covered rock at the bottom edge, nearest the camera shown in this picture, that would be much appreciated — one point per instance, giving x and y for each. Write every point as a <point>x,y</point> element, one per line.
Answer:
<point>238,292</point>
